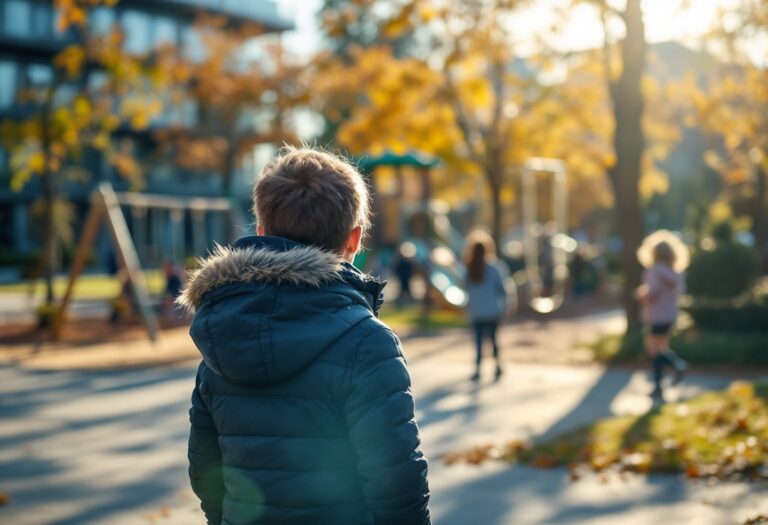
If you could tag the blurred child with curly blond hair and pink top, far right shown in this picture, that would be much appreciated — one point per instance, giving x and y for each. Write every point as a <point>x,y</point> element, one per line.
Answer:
<point>665,257</point>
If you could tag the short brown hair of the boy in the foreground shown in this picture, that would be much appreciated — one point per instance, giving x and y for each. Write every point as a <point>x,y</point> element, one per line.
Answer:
<point>311,197</point>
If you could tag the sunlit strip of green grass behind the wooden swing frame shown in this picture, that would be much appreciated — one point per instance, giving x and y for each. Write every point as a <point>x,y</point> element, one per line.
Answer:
<point>87,287</point>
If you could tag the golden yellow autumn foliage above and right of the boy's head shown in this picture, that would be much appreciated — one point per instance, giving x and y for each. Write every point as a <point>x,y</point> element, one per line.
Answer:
<point>482,118</point>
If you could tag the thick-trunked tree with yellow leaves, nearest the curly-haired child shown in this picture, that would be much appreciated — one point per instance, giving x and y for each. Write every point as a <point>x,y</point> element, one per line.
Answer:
<point>636,140</point>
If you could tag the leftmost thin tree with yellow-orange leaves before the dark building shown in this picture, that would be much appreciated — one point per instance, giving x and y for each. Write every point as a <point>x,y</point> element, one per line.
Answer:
<point>68,116</point>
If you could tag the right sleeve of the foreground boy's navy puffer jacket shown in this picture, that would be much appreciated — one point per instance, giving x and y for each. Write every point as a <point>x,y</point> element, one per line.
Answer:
<point>379,410</point>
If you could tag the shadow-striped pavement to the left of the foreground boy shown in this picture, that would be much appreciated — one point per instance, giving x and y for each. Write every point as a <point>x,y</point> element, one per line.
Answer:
<point>79,448</point>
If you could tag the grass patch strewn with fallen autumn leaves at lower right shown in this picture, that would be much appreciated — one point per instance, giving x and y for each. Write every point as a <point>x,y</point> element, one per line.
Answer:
<point>718,434</point>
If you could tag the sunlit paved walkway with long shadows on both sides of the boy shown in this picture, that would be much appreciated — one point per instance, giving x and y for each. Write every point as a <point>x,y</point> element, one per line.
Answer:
<point>82,447</point>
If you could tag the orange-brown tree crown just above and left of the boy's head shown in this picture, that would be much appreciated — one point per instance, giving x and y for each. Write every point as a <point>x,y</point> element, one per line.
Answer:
<point>242,101</point>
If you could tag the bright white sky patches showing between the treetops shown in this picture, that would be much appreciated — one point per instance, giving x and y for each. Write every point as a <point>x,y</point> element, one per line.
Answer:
<point>665,20</point>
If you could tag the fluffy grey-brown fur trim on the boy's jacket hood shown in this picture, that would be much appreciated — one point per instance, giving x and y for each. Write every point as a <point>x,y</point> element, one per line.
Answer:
<point>260,263</point>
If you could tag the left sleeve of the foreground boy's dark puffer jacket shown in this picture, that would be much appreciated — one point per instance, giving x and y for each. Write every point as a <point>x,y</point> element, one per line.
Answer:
<point>205,466</point>
